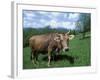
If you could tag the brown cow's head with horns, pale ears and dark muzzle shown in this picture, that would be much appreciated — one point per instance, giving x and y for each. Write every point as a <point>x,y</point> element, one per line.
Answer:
<point>65,37</point>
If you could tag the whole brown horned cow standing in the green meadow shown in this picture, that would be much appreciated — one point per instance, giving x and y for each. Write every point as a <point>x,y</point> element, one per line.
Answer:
<point>47,43</point>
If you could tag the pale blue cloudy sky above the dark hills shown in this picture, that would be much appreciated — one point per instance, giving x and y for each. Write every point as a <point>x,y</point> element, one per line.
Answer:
<point>40,19</point>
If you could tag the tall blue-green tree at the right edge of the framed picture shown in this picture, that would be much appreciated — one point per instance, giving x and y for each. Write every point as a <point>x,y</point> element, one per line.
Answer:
<point>84,23</point>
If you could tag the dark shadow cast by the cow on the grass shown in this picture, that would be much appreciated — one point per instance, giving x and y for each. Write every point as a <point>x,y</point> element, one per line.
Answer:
<point>61,57</point>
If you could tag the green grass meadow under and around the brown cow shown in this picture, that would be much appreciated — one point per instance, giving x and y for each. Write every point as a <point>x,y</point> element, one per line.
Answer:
<point>78,55</point>
